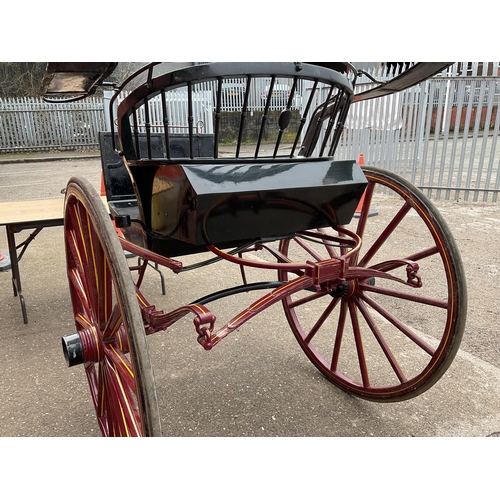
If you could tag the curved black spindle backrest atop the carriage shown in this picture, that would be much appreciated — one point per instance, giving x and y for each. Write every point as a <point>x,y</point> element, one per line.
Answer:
<point>305,106</point>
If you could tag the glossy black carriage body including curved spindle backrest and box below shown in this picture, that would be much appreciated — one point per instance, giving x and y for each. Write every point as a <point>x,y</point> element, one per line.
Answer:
<point>190,193</point>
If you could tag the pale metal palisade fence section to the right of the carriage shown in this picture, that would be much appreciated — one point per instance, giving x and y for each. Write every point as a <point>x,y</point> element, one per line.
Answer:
<point>441,135</point>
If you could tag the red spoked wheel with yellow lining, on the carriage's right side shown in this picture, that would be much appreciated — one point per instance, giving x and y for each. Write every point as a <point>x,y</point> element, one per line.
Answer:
<point>376,337</point>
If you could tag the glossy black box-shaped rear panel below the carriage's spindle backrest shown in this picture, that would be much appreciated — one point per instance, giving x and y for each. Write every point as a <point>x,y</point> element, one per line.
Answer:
<point>199,204</point>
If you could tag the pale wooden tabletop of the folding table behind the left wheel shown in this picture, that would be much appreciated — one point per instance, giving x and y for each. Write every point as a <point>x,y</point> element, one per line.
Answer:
<point>18,212</point>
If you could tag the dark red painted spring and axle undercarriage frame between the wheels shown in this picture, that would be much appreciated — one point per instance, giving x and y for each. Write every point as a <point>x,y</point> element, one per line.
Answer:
<point>323,276</point>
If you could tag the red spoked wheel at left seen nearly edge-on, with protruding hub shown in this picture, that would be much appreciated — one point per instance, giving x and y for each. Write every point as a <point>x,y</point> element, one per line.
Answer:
<point>110,339</point>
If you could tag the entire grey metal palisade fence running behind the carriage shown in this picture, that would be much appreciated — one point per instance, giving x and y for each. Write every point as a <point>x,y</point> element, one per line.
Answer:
<point>441,135</point>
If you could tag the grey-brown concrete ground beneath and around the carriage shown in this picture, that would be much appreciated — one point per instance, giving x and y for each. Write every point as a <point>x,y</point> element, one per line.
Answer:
<point>257,382</point>
